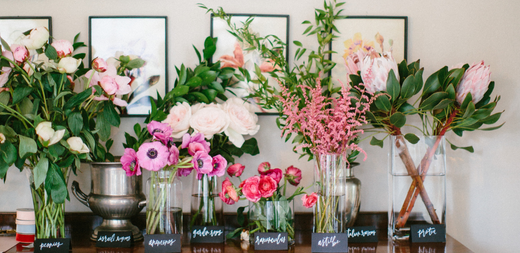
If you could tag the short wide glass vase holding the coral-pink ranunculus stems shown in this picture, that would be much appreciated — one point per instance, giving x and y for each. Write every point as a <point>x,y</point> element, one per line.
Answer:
<point>272,216</point>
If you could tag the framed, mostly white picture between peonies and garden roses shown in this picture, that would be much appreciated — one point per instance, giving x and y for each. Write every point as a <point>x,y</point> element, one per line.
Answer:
<point>136,36</point>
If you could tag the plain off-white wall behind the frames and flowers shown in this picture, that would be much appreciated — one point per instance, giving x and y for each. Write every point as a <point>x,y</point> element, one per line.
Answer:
<point>483,189</point>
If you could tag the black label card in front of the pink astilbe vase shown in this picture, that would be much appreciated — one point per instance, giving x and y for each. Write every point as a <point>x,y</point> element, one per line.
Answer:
<point>329,242</point>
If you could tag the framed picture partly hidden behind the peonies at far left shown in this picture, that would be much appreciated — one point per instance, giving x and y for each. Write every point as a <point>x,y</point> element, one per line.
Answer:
<point>12,28</point>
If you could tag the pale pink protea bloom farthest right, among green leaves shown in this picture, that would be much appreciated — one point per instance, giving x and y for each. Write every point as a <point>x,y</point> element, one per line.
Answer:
<point>476,81</point>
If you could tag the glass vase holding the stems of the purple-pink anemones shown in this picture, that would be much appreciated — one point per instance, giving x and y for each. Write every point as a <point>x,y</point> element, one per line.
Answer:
<point>164,205</point>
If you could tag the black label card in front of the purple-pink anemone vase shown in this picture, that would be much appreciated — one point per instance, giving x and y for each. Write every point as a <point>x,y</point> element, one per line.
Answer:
<point>162,243</point>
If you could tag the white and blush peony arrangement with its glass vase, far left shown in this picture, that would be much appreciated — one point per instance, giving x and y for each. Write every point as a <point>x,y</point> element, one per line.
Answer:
<point>46,126</point>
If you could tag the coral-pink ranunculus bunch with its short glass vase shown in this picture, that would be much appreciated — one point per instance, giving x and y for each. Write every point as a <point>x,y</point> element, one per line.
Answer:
<point>270,208</point>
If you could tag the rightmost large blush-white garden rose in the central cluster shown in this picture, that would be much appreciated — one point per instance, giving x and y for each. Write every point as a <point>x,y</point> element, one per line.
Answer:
<point>242,120</point>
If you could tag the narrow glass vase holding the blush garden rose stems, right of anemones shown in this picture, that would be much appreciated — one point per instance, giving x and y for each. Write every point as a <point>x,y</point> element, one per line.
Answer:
<point>206,205</point>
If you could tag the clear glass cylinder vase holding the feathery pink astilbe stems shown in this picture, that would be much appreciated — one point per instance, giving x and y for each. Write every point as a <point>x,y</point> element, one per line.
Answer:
<point>329,184</point>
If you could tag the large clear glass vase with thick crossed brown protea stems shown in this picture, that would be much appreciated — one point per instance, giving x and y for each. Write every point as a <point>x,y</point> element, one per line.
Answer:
<point>417,184</point>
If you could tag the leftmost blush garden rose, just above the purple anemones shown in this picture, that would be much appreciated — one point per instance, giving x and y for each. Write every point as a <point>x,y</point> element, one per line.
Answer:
<point>179,119</point>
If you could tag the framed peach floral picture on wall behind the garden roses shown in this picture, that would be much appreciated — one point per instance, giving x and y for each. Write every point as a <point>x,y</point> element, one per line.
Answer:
<point>263,25</point>
